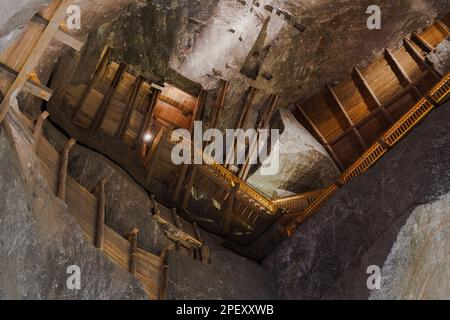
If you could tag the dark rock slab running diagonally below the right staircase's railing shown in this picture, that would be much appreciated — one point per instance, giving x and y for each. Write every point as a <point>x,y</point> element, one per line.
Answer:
<point>329,254</point>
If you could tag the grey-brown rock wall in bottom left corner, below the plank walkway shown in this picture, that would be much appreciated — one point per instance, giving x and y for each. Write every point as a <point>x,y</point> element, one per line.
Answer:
<point>39,240</point>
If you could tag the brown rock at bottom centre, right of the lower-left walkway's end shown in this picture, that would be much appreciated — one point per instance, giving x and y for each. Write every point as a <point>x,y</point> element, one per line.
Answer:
<point>242,280</point>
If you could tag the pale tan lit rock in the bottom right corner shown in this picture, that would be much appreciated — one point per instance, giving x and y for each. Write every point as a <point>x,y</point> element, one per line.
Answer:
<point>418,266</point>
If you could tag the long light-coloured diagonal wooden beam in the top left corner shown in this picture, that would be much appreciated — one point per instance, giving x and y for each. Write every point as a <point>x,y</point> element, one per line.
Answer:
<point>34,58</point>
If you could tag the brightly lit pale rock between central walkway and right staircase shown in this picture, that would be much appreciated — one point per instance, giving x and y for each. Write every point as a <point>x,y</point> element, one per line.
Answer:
<point>304,164</point>
